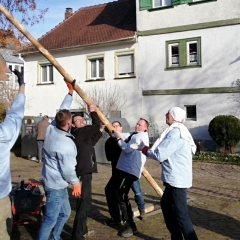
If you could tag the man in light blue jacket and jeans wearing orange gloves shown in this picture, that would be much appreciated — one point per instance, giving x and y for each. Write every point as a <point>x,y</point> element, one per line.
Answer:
<point>58,171</point>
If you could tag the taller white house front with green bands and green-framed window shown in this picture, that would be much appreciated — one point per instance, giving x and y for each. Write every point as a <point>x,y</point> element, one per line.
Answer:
<point>190,59</point>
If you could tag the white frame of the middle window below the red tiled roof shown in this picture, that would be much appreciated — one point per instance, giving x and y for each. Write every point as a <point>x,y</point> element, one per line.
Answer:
<point>90,58</point>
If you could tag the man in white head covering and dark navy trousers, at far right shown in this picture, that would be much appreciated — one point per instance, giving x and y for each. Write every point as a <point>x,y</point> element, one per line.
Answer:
<point>174,150</point>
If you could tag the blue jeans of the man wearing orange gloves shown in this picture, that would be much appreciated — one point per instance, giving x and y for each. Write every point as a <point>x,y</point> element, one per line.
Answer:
<point>57,213</point>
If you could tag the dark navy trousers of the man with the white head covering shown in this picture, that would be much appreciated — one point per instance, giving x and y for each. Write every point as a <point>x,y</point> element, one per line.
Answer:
<point>175,212</point>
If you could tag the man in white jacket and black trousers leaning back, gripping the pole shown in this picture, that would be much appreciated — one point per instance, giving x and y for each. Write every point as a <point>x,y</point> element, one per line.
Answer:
<point>128,170</point>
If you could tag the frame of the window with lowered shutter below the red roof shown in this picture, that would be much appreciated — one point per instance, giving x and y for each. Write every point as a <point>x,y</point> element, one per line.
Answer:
<point>131,71</point>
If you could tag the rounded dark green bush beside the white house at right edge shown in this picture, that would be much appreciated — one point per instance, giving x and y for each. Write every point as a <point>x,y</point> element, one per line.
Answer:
<point>225,131</point>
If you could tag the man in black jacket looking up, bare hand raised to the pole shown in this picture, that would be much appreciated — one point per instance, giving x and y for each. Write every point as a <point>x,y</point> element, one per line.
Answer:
<point>85,139</point>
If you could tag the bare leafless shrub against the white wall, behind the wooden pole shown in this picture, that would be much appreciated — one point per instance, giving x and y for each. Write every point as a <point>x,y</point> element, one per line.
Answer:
<point>106,96</point>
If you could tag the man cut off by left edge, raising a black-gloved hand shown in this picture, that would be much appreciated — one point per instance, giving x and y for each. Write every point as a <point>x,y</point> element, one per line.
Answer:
<point>9,130</point>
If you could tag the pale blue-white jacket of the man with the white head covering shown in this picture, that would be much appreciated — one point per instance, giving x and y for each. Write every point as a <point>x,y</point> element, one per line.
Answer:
<point>175,154</point>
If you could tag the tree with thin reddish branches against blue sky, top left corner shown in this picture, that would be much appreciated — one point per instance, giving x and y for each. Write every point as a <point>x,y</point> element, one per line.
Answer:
<point>29,13</point>
